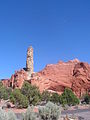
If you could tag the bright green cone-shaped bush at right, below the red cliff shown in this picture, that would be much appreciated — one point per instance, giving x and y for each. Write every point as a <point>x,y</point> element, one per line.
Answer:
<point>68,97</point>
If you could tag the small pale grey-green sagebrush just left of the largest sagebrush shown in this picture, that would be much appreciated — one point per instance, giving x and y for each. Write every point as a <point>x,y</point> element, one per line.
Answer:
<point>30,114</point>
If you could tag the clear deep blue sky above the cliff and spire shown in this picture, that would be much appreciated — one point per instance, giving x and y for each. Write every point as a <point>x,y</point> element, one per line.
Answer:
<point>57,30</point>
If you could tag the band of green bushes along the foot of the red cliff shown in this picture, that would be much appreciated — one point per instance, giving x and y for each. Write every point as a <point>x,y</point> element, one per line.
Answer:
<point>30,95</point>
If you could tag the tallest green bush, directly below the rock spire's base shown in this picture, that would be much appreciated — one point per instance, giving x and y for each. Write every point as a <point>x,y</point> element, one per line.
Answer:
<point>31,92</point>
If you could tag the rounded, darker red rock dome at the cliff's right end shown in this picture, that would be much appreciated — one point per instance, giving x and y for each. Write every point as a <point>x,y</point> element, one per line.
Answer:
<point>81,78</point>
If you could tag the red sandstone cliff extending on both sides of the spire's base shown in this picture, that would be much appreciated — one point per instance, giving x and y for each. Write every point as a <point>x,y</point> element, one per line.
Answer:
<point>55,77</point>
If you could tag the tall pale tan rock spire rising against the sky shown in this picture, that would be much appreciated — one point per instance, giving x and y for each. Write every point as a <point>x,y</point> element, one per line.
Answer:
<point>29,62</point>
